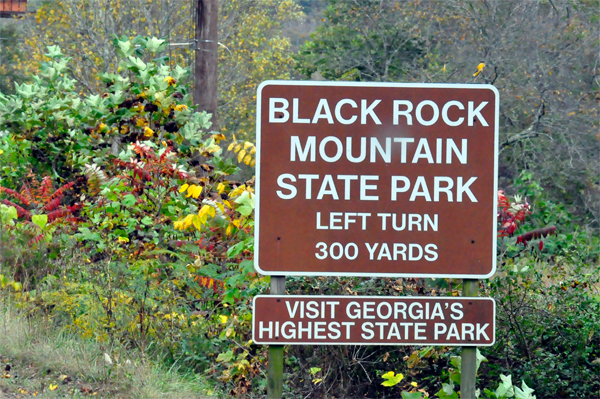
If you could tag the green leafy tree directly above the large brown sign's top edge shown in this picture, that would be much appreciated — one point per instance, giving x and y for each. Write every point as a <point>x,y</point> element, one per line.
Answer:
<point>363,40</point>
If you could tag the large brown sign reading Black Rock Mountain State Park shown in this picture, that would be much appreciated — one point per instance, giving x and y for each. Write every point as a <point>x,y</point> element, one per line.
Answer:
<point>381,179</point>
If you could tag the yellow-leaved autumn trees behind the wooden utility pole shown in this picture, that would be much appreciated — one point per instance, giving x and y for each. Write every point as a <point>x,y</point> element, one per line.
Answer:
<point>252,48</point>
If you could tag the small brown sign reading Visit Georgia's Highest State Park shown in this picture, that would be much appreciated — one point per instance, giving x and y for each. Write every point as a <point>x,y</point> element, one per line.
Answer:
<point>368,320</point>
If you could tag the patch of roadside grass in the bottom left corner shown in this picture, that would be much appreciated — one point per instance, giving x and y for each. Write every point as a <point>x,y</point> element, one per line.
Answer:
<point>42,360</point>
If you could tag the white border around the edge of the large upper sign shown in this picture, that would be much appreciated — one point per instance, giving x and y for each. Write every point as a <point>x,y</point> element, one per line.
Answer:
<point>374,84</point>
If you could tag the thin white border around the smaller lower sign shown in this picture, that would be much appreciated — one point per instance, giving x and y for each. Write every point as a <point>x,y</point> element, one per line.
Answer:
<point>363,343</point>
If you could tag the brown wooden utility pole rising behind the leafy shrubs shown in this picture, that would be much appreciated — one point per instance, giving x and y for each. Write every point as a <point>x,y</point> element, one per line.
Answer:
<point>205,71</point>
